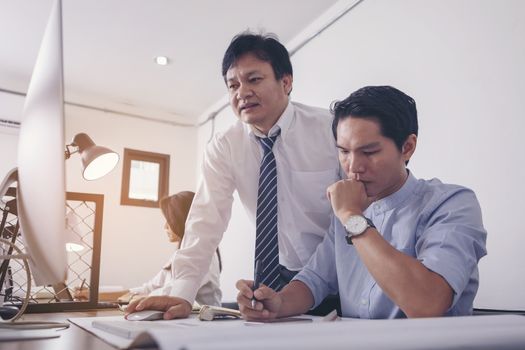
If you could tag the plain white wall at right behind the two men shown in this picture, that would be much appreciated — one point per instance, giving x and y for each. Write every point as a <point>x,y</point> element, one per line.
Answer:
<point>462,61</point>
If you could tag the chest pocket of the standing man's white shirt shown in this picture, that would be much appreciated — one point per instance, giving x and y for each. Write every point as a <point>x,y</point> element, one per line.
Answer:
<point>309,187</point>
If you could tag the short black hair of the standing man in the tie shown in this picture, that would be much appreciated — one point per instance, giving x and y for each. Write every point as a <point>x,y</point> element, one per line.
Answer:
<point>265,47</point>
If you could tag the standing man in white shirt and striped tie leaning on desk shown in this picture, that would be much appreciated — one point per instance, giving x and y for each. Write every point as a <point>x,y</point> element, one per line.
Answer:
<point>280,157</point>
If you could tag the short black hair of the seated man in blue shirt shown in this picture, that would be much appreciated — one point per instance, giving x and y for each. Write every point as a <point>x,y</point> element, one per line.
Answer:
<point>394,110</point>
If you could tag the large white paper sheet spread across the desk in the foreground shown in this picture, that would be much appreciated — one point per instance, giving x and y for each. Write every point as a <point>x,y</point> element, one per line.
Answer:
<point>471,332</point>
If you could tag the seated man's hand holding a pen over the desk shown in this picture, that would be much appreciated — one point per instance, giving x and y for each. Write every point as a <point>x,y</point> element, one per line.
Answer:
<point>266,307</point>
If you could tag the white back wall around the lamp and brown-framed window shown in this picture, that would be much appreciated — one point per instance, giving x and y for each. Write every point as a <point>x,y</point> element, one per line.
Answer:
<point>134,245</point>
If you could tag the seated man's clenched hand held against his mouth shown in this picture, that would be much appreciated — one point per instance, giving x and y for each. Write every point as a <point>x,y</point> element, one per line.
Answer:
<point>348,197</point>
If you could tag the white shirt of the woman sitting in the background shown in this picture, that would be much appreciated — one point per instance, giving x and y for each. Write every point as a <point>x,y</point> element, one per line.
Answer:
<point>209,292</point>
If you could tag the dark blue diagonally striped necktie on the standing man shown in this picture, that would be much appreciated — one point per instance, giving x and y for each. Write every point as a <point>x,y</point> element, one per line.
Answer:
<point>266,242</point>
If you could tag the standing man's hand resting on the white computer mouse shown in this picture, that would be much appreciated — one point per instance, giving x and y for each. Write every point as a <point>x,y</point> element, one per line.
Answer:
<point>173,307</point>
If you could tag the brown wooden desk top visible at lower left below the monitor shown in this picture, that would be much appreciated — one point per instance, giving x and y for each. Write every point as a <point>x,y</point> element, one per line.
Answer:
<point>71,338</point>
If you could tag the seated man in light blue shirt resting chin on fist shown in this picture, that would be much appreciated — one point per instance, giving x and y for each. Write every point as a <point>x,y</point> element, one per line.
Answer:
<point>398,246</point>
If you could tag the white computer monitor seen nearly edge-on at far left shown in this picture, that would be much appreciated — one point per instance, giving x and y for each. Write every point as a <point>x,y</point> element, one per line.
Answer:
<point>41,192</point>
